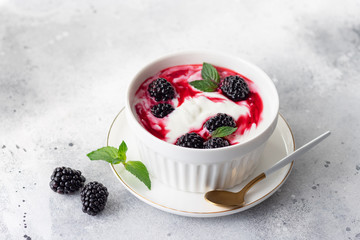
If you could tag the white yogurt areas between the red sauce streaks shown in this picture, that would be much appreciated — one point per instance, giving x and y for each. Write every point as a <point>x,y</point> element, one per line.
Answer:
<point>195,111</point>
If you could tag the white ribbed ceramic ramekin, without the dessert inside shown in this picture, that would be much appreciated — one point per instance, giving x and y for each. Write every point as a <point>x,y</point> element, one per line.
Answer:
<point>200,170</point>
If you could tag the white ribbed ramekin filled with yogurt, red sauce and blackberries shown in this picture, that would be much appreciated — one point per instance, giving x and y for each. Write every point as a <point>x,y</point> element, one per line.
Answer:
<point>175,122</point>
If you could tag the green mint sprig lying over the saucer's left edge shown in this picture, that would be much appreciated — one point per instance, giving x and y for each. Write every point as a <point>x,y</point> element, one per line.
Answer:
<point>114,156</point>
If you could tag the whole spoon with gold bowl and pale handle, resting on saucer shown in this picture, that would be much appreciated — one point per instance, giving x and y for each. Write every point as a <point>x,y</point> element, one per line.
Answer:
<point>237,199</point>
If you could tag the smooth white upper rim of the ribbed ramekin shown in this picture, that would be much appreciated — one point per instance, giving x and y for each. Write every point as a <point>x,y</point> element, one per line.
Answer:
<point>246,144</point>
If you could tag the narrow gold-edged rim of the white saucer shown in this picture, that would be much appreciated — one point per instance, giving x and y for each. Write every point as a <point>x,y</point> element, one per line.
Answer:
<point>202,214</point>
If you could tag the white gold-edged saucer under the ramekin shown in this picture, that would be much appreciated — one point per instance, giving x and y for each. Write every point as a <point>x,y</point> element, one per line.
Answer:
<point>189,204</point>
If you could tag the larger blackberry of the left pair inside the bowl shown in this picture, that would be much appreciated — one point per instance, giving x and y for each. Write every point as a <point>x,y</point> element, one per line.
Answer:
<point>161,89</point>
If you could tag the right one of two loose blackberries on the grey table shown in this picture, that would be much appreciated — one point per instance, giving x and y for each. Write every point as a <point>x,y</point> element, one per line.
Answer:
<point>93,197</point>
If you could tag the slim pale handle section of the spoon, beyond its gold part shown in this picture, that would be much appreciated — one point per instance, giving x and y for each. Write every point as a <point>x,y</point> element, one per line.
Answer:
<point>283,162</point>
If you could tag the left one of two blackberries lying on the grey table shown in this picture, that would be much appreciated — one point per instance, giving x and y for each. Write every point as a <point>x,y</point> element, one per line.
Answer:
<point>66,180</point>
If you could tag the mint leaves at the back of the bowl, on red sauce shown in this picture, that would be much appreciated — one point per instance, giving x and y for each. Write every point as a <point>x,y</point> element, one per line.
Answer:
<point>210,79</point>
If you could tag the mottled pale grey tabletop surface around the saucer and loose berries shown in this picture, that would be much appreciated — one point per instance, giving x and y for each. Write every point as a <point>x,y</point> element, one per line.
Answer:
<point>64,66</point>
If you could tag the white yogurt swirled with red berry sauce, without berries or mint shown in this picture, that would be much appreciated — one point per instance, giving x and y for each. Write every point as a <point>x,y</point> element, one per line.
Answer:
<point>193,107</point>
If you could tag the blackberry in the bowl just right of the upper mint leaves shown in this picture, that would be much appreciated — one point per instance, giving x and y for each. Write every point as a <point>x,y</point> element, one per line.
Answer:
<point>235,88</point>
